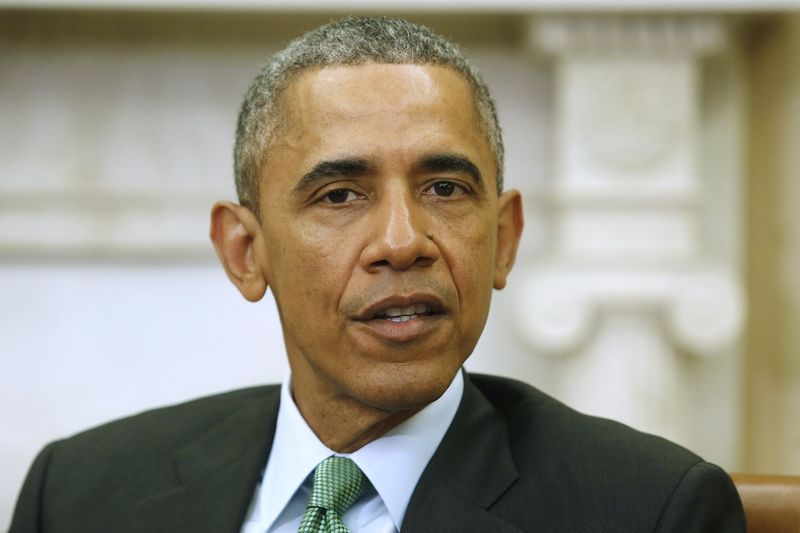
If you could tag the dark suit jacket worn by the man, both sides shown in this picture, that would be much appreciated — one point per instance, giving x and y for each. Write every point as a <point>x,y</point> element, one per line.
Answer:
<point>513,459</point>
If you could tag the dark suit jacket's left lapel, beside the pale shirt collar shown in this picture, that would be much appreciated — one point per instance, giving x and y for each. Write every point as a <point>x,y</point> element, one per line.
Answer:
<point>216,475</point>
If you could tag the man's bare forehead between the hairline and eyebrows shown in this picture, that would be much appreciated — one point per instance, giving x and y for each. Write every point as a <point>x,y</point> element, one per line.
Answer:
<point>372,109</point>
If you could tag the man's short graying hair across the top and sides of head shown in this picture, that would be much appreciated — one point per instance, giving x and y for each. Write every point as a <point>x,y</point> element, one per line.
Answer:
<point>348,41</point>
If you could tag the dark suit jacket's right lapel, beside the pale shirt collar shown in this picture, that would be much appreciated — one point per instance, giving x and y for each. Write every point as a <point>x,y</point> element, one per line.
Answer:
<point>470,470</point>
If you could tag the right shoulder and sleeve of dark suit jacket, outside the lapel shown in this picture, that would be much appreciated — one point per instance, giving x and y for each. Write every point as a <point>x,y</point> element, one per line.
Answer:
<point>588,473</point>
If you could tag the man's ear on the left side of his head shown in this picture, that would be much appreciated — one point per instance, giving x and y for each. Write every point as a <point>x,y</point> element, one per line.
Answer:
<point>237,238</point>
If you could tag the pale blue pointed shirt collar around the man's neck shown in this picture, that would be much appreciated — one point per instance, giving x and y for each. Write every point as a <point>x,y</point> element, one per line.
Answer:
<point>393,463</point>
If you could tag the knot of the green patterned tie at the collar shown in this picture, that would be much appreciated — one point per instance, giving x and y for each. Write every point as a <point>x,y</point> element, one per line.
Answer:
<point>338,483</point>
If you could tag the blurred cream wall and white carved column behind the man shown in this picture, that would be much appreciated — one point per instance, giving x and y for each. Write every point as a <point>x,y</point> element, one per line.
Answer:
<point>656,145</point>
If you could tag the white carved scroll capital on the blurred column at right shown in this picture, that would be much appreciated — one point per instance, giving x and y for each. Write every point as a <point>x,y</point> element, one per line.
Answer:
<point>700,310</point>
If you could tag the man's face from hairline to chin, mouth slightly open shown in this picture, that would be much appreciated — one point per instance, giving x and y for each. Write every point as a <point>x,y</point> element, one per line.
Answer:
<point>380,231</point>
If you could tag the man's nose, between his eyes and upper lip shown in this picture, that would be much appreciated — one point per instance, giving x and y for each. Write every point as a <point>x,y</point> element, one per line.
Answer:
<point>400,234</point>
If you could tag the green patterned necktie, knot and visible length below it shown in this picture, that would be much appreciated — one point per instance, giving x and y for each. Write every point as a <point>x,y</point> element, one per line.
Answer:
<point>338,483</point>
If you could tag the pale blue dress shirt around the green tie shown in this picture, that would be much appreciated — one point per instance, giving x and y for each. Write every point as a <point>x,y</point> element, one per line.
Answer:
<point>393,464</point>
